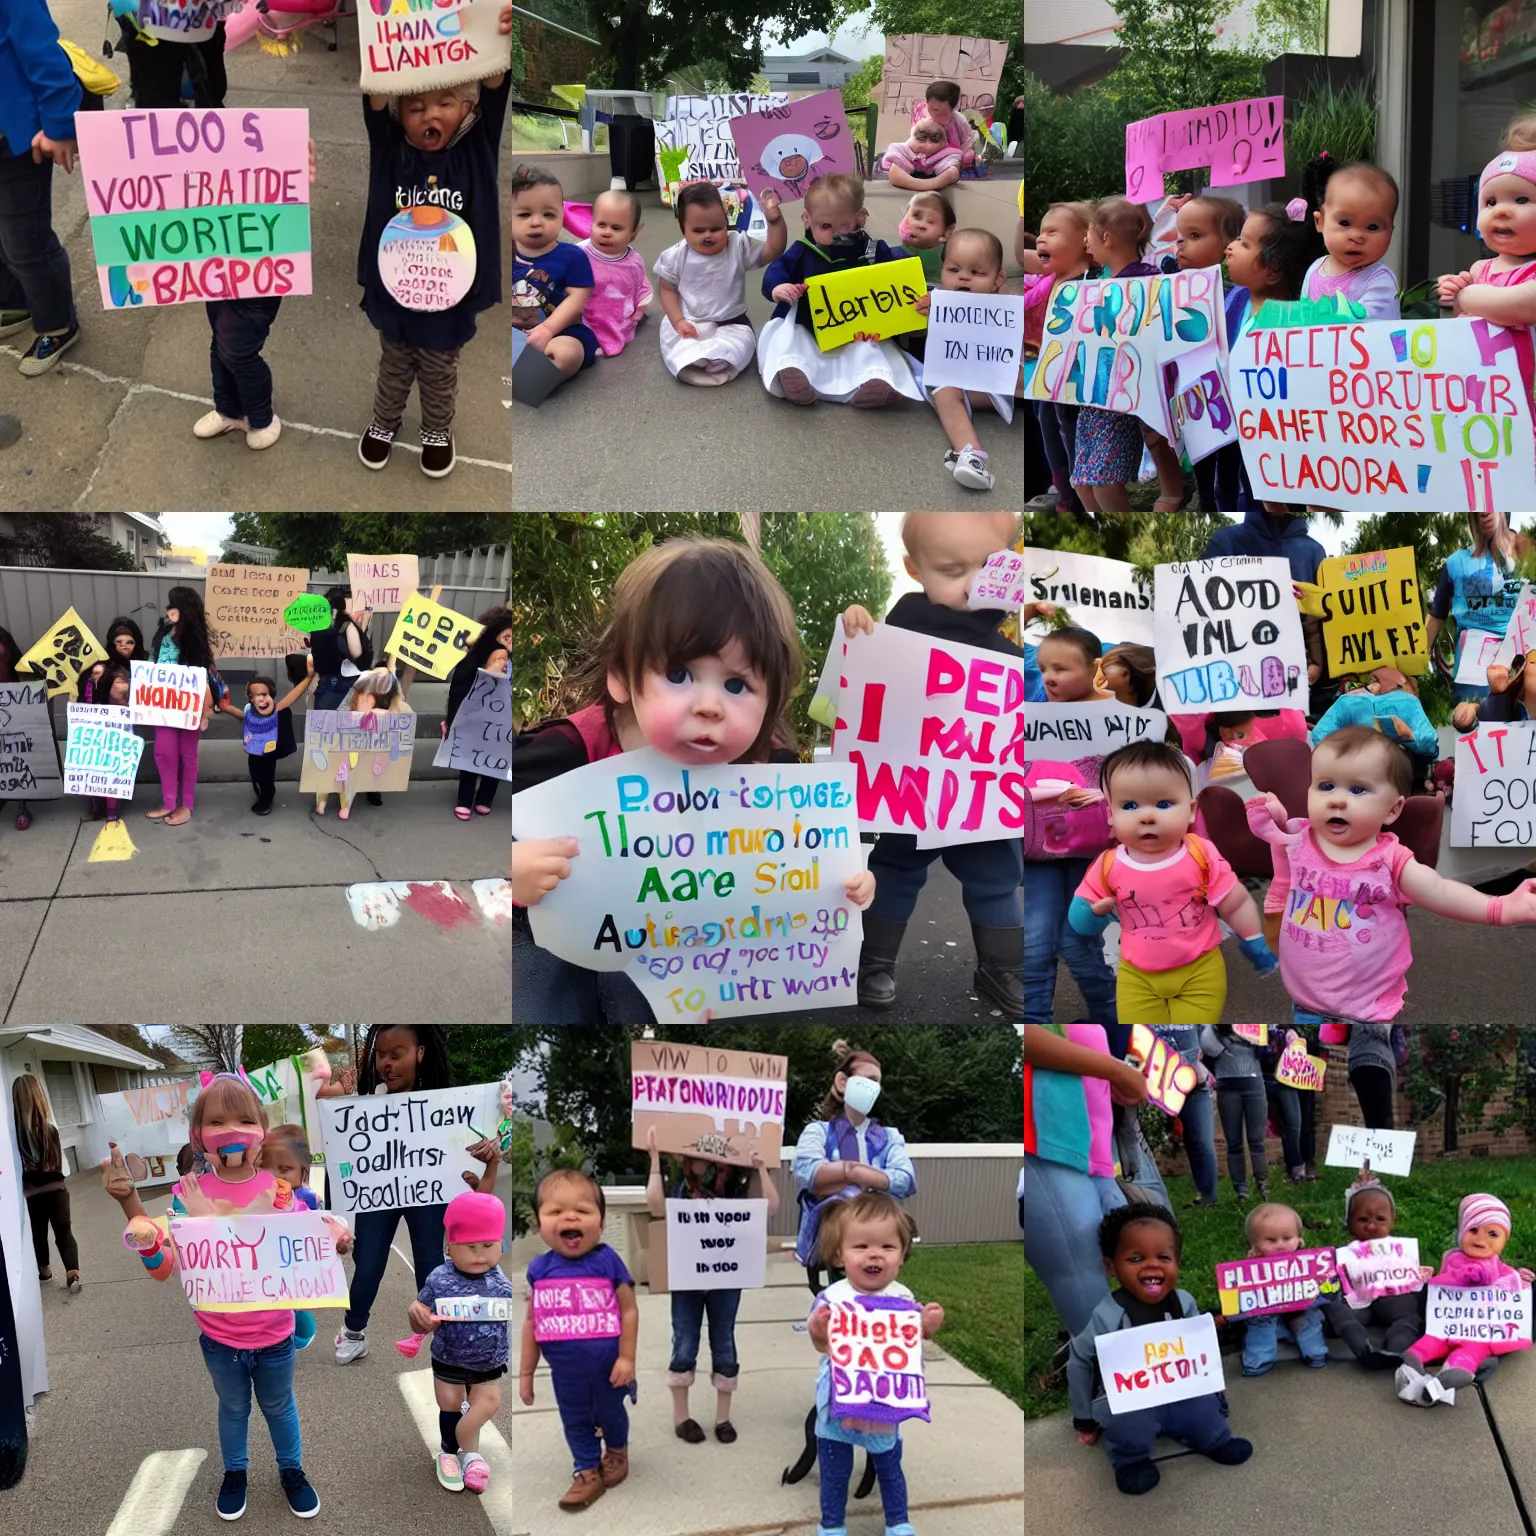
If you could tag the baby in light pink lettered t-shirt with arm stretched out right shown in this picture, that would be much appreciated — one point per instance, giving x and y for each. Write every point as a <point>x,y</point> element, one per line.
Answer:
<point>1345,884</point>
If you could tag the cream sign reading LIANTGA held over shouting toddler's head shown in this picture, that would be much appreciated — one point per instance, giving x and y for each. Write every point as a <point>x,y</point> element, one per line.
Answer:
<point>428,45</point>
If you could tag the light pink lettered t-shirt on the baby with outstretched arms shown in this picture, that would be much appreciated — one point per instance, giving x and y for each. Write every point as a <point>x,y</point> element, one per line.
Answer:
<point>1345,929</point>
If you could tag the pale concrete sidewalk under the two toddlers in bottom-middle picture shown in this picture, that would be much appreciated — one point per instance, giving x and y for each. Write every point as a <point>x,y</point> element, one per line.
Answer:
<point>964,1471</point>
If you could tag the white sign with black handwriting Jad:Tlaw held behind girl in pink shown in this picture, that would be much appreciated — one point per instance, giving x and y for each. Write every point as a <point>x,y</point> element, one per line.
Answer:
<point>399,1151</point>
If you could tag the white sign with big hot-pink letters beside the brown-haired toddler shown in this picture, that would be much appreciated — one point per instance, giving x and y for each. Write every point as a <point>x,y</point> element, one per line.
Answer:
<point>936,732</point>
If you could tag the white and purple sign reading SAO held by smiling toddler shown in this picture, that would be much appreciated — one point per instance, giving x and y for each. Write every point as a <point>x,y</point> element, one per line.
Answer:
<point>875,1351</point>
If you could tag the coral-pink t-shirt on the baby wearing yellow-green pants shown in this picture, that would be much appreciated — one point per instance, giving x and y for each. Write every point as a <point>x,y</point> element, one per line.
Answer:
<point>1164,921</point>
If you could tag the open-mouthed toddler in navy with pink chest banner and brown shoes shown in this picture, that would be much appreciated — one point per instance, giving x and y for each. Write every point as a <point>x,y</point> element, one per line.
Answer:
<point>592,1375</point>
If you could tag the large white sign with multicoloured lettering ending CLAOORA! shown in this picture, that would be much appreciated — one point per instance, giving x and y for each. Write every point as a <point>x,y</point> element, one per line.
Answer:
<point>1395,417</point>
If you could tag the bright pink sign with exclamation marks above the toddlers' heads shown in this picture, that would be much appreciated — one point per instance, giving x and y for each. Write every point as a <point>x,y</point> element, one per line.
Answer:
<point>1239,141</point>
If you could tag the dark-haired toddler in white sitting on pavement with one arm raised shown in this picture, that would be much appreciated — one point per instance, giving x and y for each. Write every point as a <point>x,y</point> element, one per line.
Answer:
<point>707,337</point>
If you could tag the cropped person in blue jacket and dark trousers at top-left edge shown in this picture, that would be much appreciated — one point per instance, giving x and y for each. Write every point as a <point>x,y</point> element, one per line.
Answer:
<point>39,99</point>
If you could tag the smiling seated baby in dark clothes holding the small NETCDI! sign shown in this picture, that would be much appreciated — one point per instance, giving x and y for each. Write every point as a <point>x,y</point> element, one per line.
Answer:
<point>1140,1248</point>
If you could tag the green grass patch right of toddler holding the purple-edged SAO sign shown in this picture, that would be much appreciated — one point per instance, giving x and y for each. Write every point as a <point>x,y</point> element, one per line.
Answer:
<point>978,1285</point>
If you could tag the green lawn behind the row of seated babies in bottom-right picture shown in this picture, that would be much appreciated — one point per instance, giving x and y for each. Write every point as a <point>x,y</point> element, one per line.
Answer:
<point>1426,1211</point>
